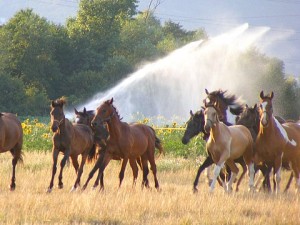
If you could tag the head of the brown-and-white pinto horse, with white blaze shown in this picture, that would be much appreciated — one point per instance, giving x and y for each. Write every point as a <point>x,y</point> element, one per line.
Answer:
<point>265,108</point>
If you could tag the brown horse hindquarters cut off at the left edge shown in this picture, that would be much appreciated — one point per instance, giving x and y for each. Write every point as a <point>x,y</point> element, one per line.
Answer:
<point>11,139</point>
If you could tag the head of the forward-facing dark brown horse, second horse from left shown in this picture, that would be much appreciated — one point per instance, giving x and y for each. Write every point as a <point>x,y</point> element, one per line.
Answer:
<point>57,115</point>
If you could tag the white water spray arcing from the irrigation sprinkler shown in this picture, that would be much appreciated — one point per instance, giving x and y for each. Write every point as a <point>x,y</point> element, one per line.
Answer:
<point>173,85</point>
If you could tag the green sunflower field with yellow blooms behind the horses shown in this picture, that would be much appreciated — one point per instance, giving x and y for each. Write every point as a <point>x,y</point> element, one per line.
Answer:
<point>38,137</point>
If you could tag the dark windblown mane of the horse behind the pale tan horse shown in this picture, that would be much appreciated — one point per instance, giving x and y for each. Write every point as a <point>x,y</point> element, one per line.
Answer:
<point>235,106</point>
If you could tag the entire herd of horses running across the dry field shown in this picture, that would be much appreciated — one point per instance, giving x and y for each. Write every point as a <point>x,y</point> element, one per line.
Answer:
<point>258,141</point>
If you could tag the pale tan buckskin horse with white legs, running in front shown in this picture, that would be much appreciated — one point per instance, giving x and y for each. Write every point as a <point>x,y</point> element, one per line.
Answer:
<point>227,143</point>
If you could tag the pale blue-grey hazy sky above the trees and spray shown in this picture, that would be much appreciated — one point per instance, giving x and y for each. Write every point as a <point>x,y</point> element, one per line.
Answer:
<point>215,16</point>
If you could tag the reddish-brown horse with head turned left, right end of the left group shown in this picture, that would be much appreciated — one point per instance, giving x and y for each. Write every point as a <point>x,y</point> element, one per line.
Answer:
<point>129,141</point>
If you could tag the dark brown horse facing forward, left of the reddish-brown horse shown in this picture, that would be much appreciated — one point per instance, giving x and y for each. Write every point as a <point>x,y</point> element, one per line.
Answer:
<point>70,139</point>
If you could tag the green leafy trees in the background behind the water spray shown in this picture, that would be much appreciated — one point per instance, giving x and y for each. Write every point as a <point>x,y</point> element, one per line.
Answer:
<point>106,41</point>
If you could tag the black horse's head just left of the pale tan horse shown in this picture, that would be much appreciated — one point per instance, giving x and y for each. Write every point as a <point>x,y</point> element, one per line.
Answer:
<point>195,125</point>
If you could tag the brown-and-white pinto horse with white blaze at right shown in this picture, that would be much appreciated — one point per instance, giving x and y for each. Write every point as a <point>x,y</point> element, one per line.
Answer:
<point>277,143</point>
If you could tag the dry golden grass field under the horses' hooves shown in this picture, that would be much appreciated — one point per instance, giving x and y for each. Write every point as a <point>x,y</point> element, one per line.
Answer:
<point>175,204</point>
